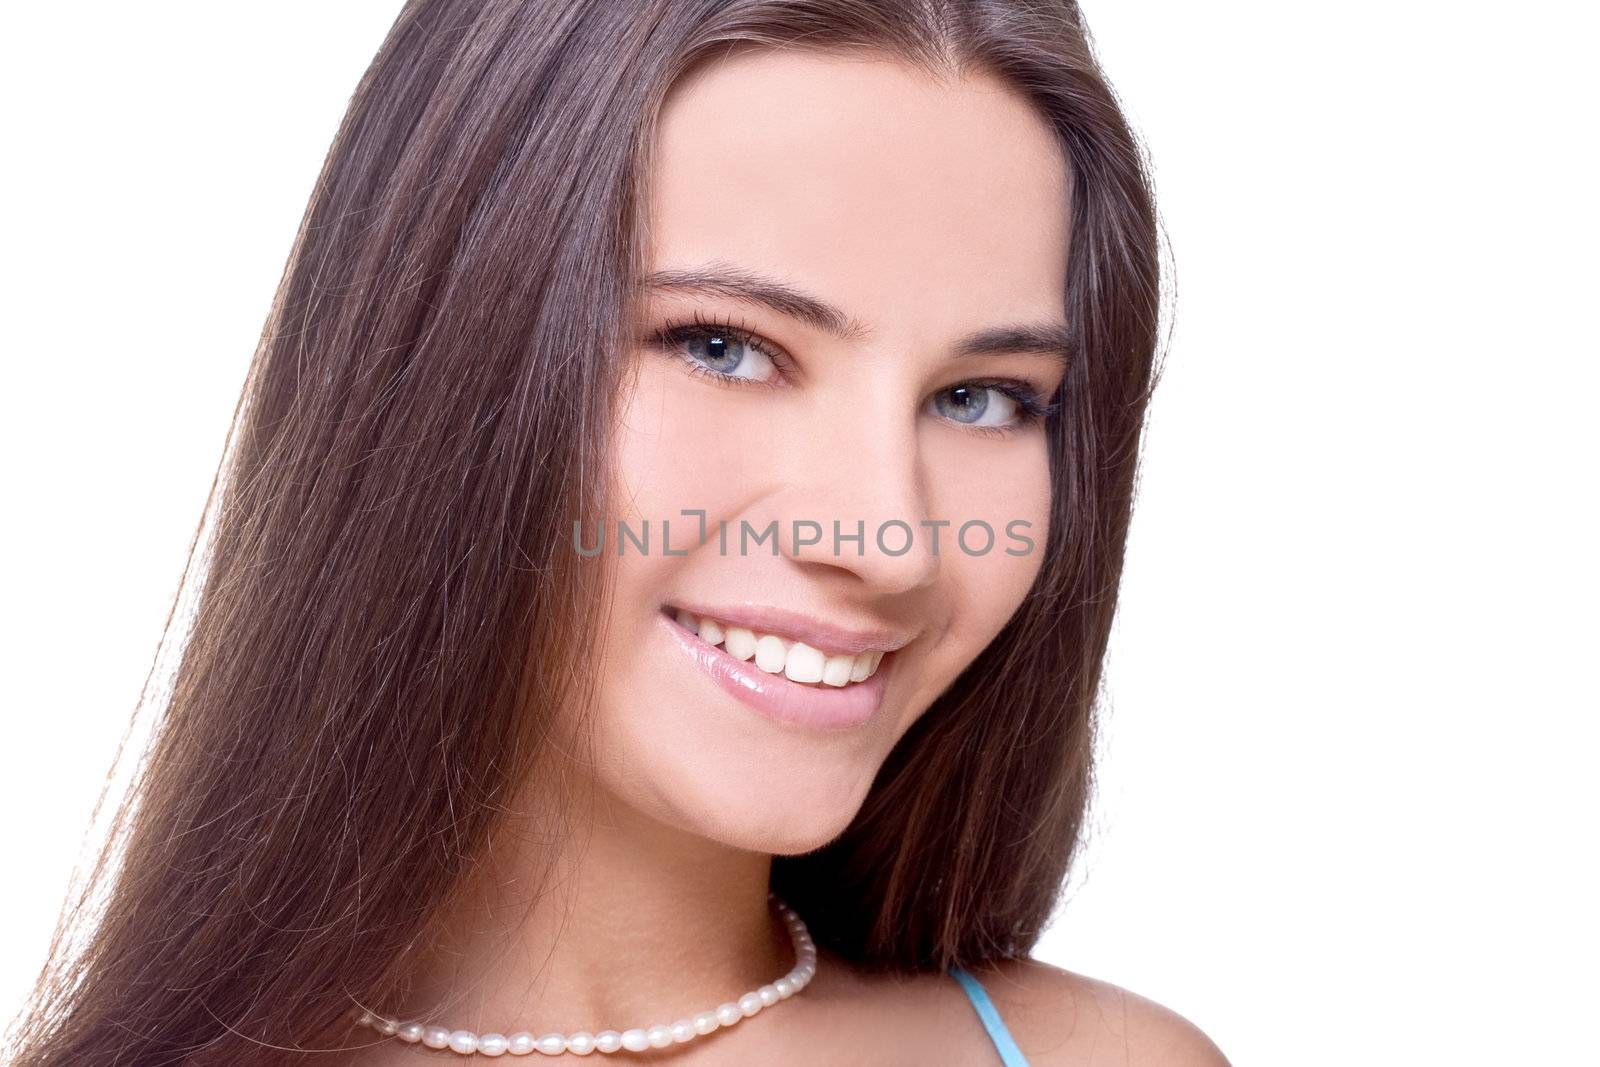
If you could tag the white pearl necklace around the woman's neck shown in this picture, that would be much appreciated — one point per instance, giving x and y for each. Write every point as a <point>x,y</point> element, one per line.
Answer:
<point>636,1041</point>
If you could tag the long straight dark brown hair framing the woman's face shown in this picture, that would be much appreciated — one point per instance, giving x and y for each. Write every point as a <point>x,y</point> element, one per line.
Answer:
<point>388,601</point>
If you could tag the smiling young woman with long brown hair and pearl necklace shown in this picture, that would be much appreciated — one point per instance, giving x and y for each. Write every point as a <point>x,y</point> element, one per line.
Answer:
<point>658,585</point>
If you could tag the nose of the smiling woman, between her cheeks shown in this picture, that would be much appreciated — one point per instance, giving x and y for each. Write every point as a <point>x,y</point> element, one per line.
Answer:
<point>858,502</point>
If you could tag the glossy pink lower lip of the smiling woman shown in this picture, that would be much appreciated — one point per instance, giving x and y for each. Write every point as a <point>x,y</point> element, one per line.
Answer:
<point>815,708</point>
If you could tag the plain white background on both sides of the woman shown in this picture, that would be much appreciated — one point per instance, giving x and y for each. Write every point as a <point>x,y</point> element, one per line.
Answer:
<point>1348,794</point>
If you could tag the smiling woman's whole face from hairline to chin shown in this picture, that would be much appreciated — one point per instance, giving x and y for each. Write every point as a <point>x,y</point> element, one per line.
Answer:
<point>903,220</point>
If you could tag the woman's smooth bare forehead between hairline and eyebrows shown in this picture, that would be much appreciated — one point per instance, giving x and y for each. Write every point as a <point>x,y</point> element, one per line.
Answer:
<point>913,204</point>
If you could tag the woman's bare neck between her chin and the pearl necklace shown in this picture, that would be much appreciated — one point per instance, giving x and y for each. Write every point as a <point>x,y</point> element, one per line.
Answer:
<point>620,922</point>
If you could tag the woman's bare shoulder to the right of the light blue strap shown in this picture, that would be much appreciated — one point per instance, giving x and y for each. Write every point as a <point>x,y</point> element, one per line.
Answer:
<point>1068,1020</point>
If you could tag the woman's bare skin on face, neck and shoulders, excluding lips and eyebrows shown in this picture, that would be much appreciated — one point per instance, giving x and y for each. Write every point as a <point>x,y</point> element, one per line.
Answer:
<point>924,212</point>
